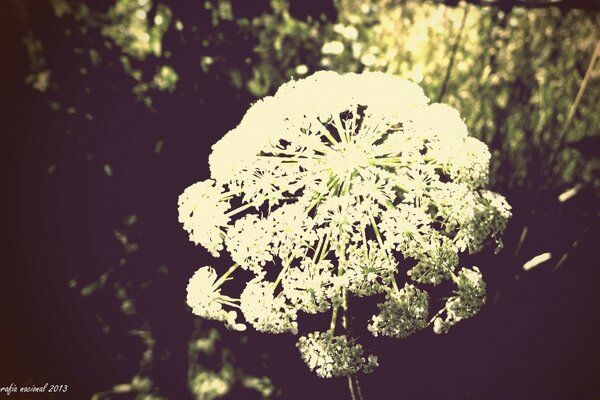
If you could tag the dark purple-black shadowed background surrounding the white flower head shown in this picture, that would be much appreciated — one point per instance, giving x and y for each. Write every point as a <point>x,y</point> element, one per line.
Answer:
<point>65,217</point>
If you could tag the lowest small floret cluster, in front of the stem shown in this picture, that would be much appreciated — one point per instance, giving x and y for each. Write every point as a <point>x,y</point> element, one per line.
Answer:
<point>330,355</point>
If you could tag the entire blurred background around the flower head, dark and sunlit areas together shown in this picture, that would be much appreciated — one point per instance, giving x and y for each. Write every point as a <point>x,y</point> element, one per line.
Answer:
<point>109,111</point>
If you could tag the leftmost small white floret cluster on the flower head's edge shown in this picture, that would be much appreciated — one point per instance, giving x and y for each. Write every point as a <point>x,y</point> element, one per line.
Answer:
<point>202,213</point>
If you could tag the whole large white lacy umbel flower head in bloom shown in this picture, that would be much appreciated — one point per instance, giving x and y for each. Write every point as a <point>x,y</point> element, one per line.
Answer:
<point>340,186</point>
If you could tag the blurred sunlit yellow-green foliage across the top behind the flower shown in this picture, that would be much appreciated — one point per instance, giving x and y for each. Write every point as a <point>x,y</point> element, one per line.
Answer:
<point>514,75</point>
